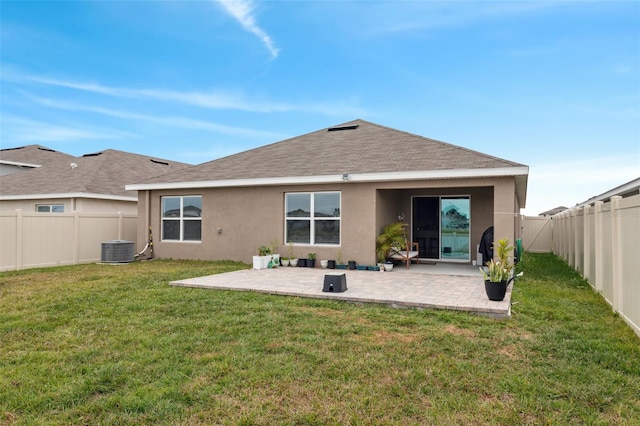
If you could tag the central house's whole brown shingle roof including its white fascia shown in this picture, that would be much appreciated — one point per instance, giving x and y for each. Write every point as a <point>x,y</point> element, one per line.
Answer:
<point>356,151</point>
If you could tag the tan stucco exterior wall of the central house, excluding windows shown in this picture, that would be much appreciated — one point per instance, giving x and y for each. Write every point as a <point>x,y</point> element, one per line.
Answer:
<point>236,221</point>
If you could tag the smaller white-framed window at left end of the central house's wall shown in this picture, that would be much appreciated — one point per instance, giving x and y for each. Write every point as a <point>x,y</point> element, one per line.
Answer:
<point>182,218</point>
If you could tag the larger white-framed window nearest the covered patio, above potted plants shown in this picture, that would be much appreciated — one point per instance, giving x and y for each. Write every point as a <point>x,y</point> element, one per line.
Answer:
<point>313,218</point>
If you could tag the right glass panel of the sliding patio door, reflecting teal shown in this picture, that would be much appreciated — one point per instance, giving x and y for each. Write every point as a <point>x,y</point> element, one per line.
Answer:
<point>454,228</point>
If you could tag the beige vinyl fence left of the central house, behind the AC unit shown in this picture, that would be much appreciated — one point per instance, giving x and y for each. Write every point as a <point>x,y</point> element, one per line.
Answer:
<point>30,239</point>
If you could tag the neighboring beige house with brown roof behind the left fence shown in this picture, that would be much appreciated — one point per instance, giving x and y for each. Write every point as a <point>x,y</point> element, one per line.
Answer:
<point>38,179</point>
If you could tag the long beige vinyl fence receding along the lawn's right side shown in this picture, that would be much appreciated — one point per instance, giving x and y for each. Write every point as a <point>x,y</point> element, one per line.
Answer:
<point>602,242</point>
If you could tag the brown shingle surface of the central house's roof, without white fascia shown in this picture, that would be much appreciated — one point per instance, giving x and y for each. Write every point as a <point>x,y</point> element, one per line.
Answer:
<point>363,147</point>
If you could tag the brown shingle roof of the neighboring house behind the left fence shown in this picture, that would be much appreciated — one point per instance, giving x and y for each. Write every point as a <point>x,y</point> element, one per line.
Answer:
<point>100,175</point>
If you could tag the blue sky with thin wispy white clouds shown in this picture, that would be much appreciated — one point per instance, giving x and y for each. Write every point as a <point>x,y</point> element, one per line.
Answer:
<point>553,85</point>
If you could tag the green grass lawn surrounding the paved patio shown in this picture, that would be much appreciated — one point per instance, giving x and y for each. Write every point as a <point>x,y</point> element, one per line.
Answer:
<point>114,344</point>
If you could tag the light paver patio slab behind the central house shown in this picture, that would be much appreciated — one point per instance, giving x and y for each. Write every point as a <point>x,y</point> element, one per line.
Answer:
<point>436,286</point>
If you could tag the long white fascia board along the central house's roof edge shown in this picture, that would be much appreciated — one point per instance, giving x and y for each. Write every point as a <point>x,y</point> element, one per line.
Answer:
<point>342,178</point>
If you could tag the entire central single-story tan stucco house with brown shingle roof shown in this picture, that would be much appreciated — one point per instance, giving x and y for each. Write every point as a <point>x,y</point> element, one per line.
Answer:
<point>330,192</point>
